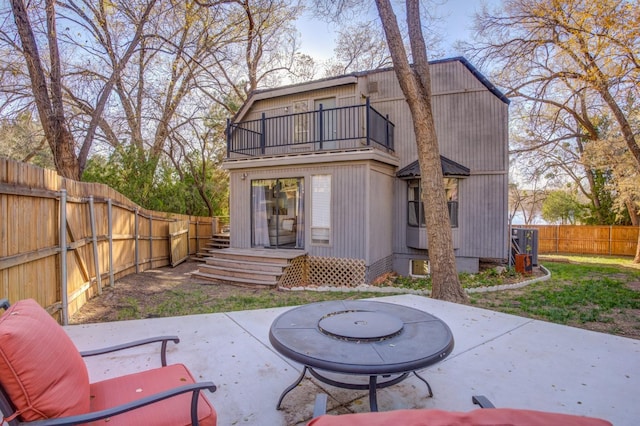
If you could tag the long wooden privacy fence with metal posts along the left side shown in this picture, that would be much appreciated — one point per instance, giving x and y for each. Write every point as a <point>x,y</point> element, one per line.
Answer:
<point>63,241</point>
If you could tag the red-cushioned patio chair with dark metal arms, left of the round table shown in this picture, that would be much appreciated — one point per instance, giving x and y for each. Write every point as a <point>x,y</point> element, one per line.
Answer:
<point>44,380</point>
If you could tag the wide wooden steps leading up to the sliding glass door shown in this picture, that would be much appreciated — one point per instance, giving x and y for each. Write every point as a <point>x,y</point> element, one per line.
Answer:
<point>260,268</point>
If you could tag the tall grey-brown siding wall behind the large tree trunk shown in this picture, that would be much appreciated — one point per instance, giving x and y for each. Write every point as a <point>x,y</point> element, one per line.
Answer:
<point>472,128</point>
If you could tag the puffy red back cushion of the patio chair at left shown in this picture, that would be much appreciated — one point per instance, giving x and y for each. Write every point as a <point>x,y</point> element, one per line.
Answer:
<point>40,368</point>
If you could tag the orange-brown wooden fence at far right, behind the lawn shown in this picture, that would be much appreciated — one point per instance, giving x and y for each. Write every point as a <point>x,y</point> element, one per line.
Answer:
<point>583,239</point>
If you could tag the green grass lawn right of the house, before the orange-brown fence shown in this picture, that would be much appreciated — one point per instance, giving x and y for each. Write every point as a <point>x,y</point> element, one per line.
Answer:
<point>600,294</point>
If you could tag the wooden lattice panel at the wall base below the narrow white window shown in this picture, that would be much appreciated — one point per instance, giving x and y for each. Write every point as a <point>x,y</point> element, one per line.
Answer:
<point>336,272</point>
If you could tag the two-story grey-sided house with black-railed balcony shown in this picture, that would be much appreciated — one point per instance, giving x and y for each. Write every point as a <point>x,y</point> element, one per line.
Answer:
<point>326,172</point>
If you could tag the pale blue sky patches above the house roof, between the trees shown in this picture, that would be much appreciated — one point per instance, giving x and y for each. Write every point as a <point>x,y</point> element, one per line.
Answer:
<point>318,37</point>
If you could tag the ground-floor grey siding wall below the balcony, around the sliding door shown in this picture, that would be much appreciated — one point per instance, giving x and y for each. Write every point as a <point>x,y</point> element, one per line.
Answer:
<point>361,222</point>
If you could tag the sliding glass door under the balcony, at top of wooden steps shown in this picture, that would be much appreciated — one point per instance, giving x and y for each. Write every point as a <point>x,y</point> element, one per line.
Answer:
<point>277,213</point>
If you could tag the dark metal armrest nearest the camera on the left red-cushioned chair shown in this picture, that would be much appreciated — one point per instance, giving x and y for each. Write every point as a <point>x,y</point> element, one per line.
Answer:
<point>194,388</point>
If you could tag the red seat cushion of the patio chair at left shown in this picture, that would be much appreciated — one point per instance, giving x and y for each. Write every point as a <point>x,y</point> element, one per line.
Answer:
<point>174,411</point>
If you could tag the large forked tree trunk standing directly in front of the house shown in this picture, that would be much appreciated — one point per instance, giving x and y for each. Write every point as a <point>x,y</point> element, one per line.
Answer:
<point>416,87</point>
